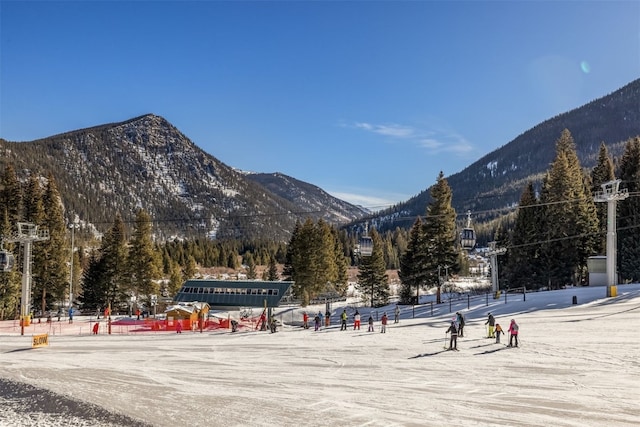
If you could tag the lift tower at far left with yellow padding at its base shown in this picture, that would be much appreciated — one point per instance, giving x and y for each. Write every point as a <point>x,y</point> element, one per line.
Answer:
<point>26,235</point>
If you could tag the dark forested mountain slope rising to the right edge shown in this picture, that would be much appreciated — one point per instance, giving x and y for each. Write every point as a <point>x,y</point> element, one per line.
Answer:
<point>495,182</point>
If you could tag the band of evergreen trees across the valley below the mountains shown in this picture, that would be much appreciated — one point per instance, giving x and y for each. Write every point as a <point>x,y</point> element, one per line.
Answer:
<point>549,237</point>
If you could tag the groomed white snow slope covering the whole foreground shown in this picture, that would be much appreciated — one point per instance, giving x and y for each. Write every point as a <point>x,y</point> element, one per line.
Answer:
<point>577,365</point>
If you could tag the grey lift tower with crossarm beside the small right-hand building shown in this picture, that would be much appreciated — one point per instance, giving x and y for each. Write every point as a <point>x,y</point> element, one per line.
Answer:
<point>610,194</point>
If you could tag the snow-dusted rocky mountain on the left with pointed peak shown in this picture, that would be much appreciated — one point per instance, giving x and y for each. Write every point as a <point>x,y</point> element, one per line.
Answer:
<point>147,163</point>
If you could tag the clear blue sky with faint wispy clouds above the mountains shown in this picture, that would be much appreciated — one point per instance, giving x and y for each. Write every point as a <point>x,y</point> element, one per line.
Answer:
<point>367,100</point>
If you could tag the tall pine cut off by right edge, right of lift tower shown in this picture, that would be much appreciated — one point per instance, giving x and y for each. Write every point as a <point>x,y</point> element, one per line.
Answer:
<point>628,227</point>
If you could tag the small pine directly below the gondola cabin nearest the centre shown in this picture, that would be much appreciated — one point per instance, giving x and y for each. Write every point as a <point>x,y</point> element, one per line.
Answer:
<point>373,282</point>
